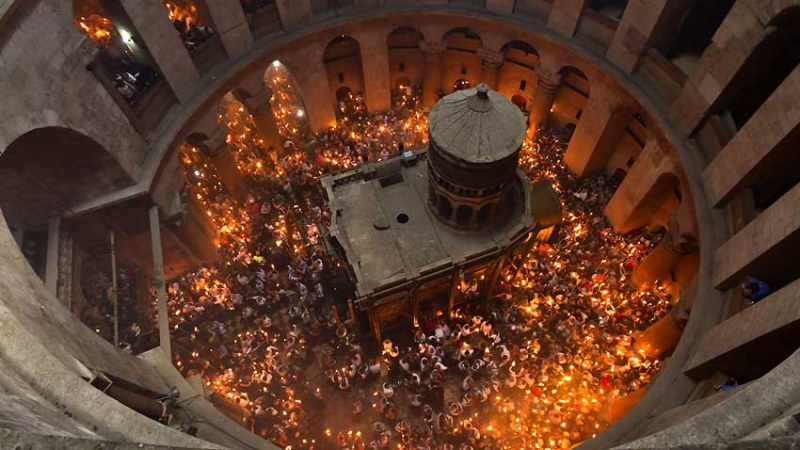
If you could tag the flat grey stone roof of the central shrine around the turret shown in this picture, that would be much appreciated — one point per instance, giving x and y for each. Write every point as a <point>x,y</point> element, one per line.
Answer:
<point>387,232</point>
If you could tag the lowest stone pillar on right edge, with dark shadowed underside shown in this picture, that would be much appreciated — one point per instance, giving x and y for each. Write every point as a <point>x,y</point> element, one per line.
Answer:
<point>753,341</point>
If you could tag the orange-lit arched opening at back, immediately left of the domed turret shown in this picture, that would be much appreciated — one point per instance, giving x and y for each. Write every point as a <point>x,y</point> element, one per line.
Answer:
<point>406,66</point>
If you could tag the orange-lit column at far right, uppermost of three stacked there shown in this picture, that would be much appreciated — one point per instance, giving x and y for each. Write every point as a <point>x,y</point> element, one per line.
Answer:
<point>659,263</point>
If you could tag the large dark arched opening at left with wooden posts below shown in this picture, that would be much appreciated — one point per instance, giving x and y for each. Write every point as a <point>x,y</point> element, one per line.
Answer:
<point>46,173</point>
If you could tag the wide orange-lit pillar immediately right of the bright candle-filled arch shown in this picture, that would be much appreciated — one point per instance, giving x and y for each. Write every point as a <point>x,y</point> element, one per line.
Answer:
<point>313,81</point>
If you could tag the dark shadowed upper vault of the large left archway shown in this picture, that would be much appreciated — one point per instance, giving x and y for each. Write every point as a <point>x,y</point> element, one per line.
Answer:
<point>49,170</point>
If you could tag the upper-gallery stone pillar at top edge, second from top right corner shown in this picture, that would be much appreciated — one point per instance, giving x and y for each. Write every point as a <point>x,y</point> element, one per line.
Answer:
<point>643,25</point>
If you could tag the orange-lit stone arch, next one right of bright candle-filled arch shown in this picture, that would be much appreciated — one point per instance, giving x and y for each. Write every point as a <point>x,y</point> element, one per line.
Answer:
<point>343,64</point>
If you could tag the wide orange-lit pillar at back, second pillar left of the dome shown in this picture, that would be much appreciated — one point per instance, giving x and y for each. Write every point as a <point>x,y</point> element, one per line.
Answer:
<point>375,67</point>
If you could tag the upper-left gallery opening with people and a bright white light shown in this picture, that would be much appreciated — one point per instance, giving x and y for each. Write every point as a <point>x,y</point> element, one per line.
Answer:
<point>122,65</point>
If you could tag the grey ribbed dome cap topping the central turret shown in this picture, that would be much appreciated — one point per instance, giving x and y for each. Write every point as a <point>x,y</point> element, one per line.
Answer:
<point>477,125</point>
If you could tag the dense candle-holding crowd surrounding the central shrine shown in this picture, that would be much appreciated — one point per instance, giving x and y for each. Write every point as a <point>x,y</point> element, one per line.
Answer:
<point>267,327</point>
